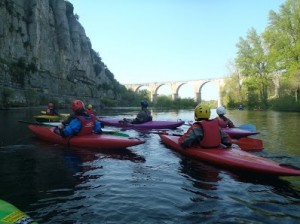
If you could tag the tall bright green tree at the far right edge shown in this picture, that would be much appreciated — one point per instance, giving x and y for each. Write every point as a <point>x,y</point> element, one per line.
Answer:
<point>283,39</point>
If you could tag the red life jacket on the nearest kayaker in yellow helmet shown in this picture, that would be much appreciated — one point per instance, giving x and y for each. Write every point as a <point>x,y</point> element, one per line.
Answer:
<point>211,134</point>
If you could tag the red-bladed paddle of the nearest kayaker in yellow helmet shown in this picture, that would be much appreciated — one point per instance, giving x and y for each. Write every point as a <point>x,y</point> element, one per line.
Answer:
<point>246,144</point>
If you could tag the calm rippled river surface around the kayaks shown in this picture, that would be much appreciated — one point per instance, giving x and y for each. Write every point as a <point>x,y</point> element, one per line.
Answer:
<point>148,183</point>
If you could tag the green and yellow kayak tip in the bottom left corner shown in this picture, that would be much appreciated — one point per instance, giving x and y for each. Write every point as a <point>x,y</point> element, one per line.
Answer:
<point>10,214</point>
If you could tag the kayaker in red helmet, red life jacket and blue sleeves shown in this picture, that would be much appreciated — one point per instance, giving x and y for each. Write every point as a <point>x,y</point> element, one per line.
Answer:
<point>80,123</point>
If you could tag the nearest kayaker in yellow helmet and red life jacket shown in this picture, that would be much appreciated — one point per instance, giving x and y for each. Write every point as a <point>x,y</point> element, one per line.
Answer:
<point>204,132</point>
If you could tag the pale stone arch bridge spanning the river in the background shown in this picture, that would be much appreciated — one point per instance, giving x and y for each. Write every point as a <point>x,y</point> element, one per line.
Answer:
<point>175,87</point>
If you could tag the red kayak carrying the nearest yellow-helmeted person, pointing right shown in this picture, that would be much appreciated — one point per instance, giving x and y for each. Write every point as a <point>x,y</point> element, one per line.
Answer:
<point>232,159</point>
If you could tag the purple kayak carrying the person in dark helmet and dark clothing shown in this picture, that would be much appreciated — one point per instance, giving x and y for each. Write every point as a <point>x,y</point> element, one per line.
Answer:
<point>147,125</point>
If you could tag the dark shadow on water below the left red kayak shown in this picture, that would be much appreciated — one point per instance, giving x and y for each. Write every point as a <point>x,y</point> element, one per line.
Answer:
<point>34,172</point>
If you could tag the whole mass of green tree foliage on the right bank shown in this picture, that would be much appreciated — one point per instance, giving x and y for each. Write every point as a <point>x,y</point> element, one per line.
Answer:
<point>268,64</point>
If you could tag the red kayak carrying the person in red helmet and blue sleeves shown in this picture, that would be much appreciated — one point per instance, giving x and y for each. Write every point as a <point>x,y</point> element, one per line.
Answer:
<point>92,141</point>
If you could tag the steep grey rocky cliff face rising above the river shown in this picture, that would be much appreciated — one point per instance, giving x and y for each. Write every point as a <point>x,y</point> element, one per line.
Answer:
<point>46,55</point>
